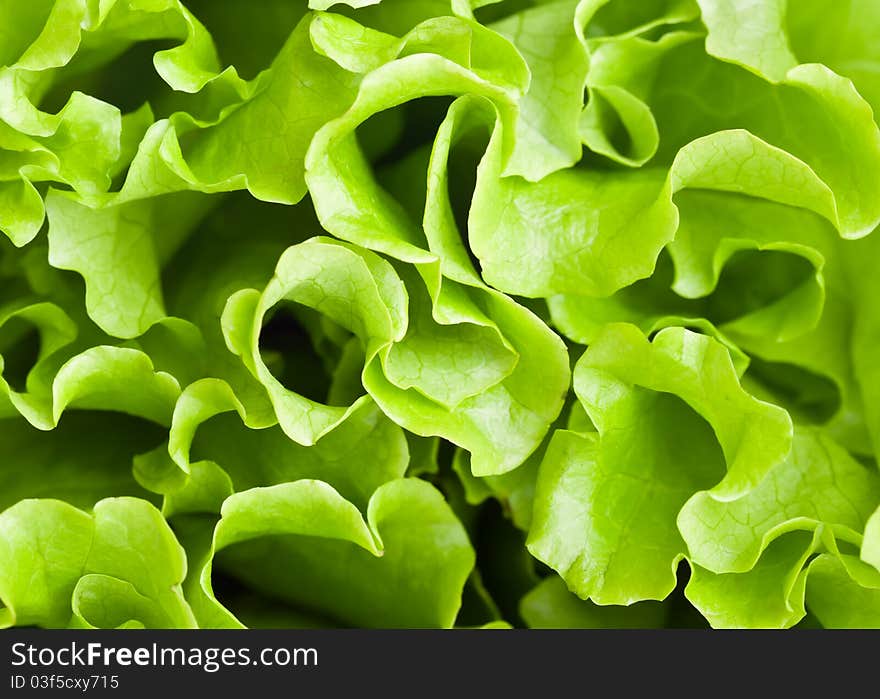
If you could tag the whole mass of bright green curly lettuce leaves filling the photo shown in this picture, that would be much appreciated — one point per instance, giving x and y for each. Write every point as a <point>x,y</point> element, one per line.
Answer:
<point>436,313</point>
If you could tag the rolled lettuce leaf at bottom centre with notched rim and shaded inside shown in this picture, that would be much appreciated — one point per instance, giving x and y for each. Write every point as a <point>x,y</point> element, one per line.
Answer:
<point>404,566</point>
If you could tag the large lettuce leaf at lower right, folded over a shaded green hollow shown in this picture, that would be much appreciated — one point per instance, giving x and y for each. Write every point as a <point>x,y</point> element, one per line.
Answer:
<point>606,503</point>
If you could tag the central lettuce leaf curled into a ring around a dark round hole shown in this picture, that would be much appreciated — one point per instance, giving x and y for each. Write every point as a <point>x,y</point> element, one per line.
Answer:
<point>457,376</point>
